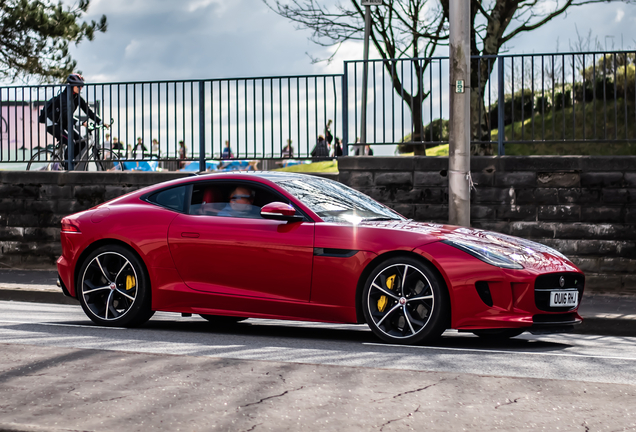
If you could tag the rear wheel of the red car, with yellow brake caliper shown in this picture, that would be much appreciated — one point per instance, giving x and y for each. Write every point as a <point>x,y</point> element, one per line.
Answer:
<point>113,288</point>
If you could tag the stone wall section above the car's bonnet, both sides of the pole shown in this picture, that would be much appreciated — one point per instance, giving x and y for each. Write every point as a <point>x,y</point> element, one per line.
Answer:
<point>583,206</point>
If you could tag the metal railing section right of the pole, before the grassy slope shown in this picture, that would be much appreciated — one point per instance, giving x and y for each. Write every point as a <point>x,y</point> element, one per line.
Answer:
<point>574,97</point>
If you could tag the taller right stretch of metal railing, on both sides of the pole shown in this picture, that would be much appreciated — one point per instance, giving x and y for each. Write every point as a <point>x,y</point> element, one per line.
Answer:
<point>546,98</point>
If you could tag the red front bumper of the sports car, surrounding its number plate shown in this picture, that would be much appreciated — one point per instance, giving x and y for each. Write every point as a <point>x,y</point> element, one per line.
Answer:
<point>488,297</point>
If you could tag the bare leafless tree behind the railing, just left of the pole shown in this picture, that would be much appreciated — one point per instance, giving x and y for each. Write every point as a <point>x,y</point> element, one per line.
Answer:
<point>400,29</point>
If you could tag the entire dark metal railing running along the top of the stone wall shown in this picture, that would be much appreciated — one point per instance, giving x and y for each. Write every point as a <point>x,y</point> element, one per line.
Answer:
<point>521,99</point>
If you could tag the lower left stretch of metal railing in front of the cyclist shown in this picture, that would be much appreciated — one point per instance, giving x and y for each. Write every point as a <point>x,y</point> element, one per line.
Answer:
<point>257,117</point>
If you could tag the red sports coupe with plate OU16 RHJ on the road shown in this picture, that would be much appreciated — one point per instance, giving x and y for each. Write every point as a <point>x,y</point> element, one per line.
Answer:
<point>298,247</point>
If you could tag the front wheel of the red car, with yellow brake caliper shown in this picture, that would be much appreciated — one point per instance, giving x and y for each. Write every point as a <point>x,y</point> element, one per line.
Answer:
<point>405,302</point>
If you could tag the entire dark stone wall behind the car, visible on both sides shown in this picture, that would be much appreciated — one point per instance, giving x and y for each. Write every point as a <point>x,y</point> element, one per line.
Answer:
<point>583,206</point>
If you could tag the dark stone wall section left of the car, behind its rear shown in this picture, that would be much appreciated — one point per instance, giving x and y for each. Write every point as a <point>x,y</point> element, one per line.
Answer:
<point>33,203</point>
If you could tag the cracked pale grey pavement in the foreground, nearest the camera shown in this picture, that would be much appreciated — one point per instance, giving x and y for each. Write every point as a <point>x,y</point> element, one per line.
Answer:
<point>64,389</point>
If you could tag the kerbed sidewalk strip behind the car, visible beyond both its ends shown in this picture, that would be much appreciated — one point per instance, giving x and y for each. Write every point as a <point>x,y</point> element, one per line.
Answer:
<point>603,314</point>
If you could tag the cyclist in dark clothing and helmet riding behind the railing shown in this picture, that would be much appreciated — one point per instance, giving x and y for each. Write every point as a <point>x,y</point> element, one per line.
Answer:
<point>55,114</point>
